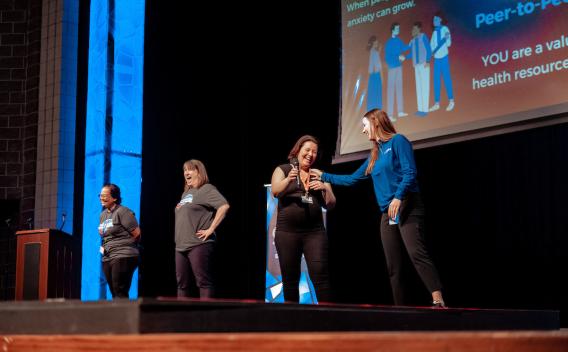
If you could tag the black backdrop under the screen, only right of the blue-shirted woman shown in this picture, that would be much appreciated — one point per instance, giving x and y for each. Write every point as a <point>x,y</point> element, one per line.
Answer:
<point>496,212</point>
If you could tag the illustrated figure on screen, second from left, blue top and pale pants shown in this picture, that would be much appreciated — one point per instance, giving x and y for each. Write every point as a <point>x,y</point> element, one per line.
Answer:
<point>394,56</point>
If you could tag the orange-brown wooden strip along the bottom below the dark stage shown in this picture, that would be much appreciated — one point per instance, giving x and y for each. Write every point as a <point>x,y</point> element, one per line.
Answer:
<point>550,341</point>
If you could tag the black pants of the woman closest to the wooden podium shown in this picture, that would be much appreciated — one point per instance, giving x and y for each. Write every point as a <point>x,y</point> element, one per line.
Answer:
<point>118,273</point>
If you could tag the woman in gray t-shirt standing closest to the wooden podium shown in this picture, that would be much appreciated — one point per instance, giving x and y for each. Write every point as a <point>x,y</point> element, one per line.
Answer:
<point>120,235</point>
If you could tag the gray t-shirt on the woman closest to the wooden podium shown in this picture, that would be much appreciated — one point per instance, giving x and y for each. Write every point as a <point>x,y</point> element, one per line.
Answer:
<point>117,240</point>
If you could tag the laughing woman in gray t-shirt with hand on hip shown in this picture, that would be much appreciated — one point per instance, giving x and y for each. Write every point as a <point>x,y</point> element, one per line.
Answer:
<point>199,212</point>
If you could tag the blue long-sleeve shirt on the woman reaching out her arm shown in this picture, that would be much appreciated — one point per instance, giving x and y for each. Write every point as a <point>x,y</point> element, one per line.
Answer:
<point>393,175</point>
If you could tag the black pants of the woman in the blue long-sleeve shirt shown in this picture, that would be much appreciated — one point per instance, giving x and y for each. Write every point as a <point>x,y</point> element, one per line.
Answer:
<point>408,235</point>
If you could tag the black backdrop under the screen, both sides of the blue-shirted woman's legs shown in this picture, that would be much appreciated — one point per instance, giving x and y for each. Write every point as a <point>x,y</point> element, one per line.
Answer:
<point>495,223</point>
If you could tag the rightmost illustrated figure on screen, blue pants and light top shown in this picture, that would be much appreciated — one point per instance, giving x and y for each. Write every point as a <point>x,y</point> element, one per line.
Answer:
<point>440,42</point>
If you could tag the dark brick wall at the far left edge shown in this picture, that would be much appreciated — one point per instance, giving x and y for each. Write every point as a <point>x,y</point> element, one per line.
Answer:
<point>20,35</point>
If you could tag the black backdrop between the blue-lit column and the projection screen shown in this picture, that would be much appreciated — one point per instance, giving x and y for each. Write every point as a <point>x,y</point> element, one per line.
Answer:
<point>238,102</point>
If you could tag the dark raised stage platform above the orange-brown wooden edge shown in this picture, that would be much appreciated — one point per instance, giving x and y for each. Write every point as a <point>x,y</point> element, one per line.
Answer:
<point>146,316</point>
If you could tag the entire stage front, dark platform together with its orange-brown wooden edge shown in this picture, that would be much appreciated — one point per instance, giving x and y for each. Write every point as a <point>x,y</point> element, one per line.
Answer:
<point>181,325</point>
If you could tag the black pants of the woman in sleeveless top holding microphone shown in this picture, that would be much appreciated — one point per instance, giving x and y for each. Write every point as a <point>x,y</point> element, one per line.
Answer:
<point>290,246</point>
